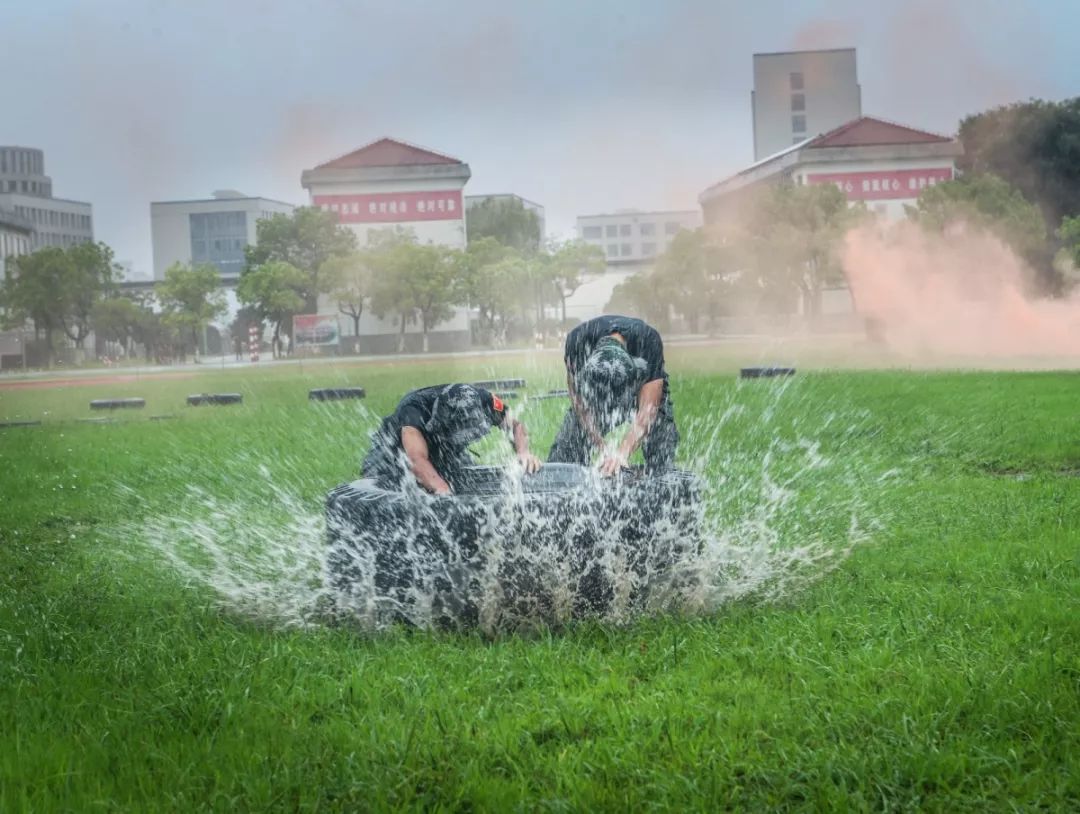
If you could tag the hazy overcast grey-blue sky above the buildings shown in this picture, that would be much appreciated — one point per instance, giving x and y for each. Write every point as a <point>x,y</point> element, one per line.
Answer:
<point>584,107</point>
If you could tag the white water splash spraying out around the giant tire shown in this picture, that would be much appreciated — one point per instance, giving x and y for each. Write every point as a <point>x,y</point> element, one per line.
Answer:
<point>781,506</point>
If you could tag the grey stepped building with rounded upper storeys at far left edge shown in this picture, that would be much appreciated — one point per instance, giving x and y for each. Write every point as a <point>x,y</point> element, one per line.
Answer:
<point>28,192</point>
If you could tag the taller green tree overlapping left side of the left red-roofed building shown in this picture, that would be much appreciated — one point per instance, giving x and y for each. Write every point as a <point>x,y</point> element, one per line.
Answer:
<point>305,239</point>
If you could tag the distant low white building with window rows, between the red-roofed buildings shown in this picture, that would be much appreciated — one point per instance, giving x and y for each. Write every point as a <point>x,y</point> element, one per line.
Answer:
<point>630,238</point>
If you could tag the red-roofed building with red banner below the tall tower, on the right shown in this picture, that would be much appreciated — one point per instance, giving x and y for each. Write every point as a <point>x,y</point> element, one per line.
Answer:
<point>882,164</point>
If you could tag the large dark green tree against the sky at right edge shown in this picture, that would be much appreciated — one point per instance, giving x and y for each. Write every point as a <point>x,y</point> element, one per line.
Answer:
<point>1033,146</point>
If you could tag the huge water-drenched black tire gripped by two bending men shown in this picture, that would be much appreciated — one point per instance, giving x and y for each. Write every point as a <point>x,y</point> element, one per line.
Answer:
<point>538,550</point>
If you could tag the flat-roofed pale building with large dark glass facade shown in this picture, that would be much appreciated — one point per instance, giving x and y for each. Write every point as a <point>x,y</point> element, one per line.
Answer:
<point>212,230</point>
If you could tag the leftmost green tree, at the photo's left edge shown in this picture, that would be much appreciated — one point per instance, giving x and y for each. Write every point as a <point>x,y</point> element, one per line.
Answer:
<point>35,289</point>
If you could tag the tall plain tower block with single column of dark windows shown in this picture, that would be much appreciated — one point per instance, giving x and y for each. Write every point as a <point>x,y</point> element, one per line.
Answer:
<point>801,94</point>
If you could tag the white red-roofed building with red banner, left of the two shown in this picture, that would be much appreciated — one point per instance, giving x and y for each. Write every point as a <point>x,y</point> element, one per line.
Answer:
<point>387,185</point>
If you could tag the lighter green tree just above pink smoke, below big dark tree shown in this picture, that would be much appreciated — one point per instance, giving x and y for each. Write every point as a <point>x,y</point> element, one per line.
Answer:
<point>989,202</point>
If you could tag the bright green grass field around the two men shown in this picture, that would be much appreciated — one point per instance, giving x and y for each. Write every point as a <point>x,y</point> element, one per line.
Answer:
<point>935,668</point>
